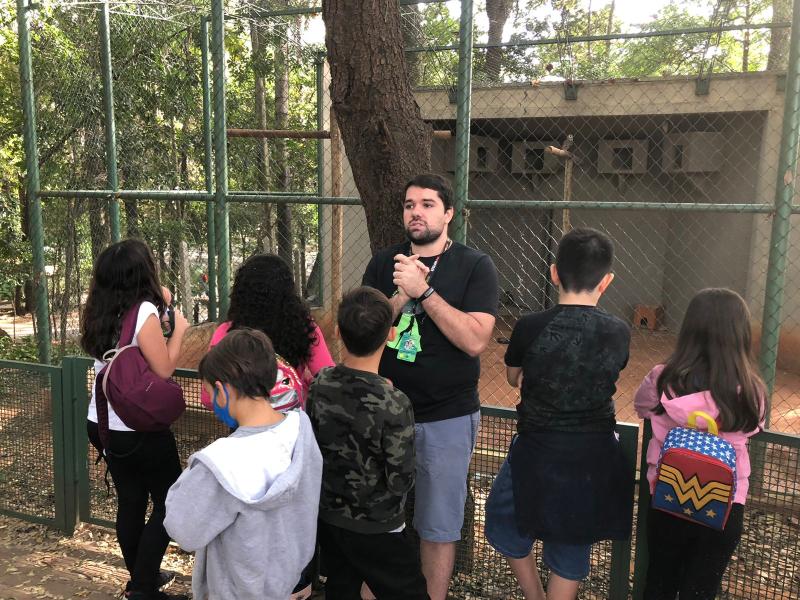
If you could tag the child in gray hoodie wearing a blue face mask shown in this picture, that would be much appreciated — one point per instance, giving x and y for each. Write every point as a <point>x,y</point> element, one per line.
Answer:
<point>247,504</point>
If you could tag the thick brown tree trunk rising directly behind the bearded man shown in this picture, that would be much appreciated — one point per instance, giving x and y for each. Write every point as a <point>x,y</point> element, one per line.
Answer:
<point>384,136</point>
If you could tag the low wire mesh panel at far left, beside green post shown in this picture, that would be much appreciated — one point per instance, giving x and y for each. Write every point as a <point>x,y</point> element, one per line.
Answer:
<point>27,441</point>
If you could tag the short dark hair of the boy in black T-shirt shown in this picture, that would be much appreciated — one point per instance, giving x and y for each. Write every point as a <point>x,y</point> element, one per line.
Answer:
<point>584,256</point>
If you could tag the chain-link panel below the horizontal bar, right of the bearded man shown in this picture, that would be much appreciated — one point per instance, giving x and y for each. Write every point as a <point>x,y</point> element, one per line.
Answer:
<point>662,259</point>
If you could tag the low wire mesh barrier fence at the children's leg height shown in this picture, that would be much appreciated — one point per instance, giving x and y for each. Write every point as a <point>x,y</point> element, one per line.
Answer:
<point>41,459</point>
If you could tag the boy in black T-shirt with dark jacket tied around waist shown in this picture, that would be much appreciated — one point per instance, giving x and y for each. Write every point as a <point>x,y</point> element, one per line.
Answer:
<point>564,481</point>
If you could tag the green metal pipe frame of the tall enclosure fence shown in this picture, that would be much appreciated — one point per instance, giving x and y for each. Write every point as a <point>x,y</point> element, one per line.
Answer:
<point>217,196</point>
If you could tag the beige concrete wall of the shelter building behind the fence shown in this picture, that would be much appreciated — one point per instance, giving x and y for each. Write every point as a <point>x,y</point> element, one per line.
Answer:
<point>662,257</point>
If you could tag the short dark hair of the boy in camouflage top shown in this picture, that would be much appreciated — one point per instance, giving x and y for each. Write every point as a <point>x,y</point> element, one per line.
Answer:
<point>364,319</point>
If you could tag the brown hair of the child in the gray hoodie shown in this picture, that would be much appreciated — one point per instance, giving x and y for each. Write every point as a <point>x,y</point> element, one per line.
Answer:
<point>243,359</point>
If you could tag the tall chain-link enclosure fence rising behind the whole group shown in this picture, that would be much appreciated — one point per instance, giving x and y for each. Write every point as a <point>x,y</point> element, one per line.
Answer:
<point>663,127</point>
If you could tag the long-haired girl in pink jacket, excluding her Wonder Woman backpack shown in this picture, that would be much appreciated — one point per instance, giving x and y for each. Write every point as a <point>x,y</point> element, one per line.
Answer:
<point>711,370</point>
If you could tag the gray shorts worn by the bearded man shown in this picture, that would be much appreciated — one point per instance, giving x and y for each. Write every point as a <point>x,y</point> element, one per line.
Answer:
<point>444,449</point>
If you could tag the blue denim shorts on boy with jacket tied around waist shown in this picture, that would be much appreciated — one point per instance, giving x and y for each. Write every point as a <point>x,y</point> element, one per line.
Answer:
<point>565,560</point>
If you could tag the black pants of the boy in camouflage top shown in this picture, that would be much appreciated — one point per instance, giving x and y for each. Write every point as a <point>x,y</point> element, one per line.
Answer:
<point>388,562</point>
